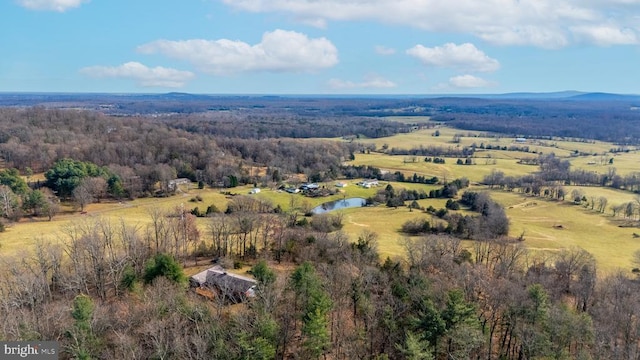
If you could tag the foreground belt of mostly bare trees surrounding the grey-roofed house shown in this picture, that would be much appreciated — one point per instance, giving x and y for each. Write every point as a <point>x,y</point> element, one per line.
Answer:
<point>339,300</point>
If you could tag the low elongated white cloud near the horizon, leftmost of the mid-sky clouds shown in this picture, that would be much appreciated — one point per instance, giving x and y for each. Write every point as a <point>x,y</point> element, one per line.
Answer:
<point>145,76</point>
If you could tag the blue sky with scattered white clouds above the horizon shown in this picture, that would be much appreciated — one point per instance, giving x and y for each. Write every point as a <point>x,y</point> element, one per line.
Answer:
<point>331,47</point>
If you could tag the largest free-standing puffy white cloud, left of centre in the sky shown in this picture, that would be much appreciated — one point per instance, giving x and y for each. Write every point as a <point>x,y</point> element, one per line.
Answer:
<point>279,51</point>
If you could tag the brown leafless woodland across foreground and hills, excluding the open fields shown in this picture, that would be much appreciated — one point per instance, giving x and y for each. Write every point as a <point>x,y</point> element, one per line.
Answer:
<point>114,290</point>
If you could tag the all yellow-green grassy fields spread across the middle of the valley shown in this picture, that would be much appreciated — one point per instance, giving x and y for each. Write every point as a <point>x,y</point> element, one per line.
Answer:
<point>547,225</point>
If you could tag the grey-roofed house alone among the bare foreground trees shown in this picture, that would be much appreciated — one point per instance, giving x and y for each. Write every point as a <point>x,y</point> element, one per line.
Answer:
<point>219,282</point>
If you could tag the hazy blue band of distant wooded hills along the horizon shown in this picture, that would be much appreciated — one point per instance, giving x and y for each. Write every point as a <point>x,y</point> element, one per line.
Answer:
<point>178,102</point>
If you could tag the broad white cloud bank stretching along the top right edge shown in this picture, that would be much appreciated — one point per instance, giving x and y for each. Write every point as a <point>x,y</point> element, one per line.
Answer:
<point>542,23</point>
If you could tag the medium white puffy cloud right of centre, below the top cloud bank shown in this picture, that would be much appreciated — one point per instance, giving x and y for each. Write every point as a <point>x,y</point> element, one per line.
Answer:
<point>465,56</point>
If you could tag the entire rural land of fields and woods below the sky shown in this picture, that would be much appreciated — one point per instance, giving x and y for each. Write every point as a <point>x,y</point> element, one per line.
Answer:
<point>338,233</point>
